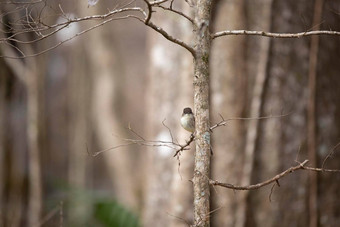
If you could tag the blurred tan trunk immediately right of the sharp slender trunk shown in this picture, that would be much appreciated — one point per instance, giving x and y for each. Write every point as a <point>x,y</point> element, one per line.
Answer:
<point>228,78</point>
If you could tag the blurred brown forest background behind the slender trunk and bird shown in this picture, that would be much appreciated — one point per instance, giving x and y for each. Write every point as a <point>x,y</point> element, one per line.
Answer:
<point>77,114</point>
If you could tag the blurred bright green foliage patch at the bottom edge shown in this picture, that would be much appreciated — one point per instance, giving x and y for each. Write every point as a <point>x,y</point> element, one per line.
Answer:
<point>112,214</point>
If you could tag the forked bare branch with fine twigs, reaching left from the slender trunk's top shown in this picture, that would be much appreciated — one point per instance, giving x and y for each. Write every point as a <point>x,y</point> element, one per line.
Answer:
<point>43,30</point>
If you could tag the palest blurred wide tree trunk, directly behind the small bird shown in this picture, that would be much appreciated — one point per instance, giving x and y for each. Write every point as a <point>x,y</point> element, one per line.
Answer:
<point>164,95</point>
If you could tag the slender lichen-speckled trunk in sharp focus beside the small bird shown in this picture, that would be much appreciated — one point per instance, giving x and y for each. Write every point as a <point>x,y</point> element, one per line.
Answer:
<point>202,107</point>
